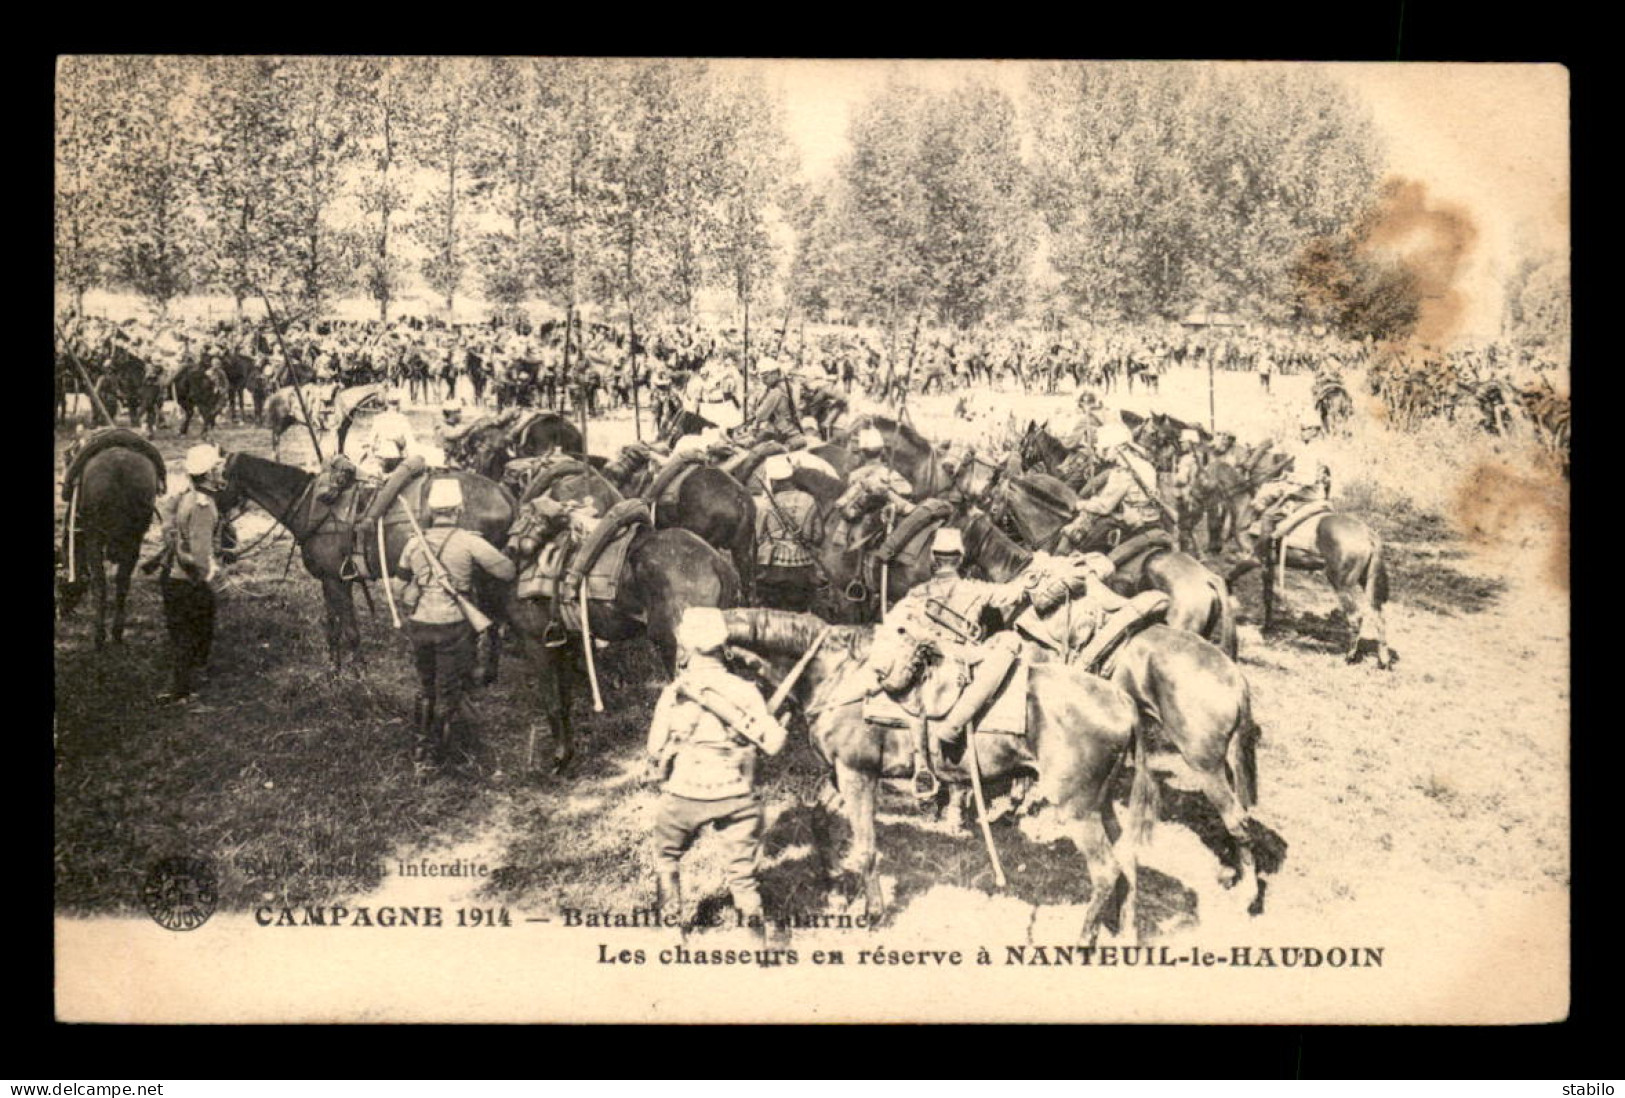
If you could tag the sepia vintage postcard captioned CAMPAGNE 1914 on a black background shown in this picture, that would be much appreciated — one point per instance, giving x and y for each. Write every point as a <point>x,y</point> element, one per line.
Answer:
<point>812,542</point>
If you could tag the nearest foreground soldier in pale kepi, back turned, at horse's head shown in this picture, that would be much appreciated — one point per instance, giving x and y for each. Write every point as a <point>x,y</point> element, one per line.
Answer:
<point>703,743</point>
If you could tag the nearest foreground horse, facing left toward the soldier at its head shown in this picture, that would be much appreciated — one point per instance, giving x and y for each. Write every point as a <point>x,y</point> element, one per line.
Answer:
<point>1080,727</point>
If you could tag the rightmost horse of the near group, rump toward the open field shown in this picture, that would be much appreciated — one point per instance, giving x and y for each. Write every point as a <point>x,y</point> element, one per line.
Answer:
<point>1350,553</point>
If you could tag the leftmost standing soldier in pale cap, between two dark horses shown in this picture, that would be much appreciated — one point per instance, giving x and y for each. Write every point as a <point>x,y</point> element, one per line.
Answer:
<point>189,573</point>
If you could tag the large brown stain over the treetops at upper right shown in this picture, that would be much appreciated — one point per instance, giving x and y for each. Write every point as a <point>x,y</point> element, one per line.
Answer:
<point>1431,241</point>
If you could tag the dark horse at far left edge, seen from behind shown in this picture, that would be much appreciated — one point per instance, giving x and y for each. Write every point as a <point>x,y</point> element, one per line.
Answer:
<point>116,491</point>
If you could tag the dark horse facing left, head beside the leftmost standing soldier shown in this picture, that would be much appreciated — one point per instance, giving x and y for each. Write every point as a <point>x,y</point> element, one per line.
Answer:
<point>324,534</point>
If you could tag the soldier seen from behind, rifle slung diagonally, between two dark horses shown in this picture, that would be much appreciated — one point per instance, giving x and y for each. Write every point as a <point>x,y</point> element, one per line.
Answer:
<point>443,638</point>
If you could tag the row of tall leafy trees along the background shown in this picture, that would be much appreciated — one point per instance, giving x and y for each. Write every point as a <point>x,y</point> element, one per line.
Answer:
<point>1096,189</point>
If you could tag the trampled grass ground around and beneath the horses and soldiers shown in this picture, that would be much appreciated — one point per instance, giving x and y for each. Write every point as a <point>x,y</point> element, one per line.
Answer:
<point>1445,779</point>
